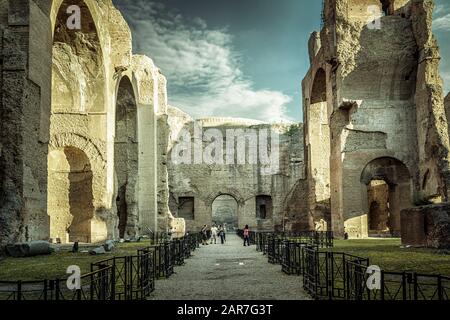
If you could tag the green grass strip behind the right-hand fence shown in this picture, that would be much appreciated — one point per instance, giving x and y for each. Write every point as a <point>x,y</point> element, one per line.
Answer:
<point>389,255</point>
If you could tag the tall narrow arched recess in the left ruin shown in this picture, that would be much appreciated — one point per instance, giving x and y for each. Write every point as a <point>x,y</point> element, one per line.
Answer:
<point>126,154</point>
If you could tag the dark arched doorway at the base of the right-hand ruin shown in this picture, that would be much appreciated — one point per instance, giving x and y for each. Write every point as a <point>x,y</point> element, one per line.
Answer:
<point>388,184</point>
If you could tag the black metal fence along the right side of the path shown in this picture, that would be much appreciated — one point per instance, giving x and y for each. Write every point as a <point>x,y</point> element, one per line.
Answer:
<point>341,276</point>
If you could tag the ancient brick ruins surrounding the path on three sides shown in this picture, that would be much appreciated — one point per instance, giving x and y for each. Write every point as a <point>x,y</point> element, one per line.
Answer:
<point>87,136</point>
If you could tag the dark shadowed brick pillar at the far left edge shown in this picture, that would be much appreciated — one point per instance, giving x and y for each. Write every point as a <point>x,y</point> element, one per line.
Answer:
<point>24,132</point>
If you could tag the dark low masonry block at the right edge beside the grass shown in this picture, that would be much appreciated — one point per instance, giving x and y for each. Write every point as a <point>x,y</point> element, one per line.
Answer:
<point>426,226</point>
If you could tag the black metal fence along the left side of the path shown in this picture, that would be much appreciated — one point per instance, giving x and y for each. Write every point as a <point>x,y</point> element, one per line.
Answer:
<point>118,278</point>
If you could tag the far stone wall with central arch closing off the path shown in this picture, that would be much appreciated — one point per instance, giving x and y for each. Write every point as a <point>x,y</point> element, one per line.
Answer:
<point>205,181</point>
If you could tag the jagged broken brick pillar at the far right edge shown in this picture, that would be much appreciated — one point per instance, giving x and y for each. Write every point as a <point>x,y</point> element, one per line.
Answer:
<point>432,127</point>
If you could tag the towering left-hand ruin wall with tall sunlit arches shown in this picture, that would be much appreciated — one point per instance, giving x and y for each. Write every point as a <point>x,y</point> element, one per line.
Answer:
<point>63,105</point>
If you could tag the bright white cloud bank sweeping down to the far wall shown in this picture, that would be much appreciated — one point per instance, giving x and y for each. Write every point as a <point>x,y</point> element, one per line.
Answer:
<point>201,65</point>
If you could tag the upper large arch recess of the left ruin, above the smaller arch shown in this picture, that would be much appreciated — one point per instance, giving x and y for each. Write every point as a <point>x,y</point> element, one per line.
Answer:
<point>79,73</point>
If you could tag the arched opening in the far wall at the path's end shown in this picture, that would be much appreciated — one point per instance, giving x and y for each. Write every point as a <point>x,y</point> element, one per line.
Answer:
<point>225,211</point>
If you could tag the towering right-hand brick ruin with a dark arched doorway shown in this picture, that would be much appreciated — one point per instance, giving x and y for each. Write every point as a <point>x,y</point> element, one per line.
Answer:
<point>384,103</point>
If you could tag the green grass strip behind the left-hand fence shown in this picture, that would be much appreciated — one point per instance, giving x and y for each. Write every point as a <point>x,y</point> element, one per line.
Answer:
<point>55,265</point>
